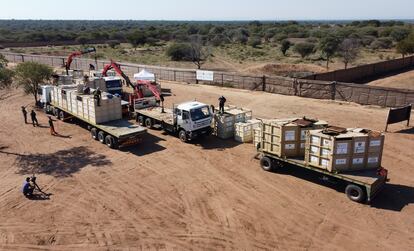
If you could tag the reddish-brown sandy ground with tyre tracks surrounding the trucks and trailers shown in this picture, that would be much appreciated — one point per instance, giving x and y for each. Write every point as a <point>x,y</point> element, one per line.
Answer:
<point>212,194</point>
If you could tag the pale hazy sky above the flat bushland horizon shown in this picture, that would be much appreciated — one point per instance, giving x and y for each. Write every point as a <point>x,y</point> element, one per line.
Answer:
<point>207,9</point>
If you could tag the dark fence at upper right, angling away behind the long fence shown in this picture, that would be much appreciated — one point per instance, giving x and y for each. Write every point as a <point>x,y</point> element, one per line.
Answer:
<point>361,74</point>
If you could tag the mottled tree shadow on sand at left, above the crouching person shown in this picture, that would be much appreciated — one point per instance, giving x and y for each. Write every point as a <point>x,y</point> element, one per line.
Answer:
<point>62,163</point>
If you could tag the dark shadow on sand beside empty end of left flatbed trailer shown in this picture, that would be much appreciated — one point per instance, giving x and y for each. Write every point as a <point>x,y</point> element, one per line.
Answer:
<point>148,145</point>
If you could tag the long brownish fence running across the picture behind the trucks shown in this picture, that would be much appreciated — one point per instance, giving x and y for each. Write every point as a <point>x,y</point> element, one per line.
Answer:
<point>361,94</point>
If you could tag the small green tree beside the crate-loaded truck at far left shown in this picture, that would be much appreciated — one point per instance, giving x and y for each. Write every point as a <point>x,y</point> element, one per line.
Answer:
<point>29,75</point>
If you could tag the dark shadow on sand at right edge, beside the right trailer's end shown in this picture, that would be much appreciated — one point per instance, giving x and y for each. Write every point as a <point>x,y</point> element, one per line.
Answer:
<point>394,197</point>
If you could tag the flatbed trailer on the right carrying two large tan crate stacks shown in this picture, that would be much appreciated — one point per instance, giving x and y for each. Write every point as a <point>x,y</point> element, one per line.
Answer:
<point>361,186</point>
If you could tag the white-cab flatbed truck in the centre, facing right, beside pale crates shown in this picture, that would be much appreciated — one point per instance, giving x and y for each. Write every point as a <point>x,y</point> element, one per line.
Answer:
<point>188,120</point>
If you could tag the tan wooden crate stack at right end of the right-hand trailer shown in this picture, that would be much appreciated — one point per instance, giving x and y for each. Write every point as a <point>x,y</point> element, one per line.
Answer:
<point>342,150</point>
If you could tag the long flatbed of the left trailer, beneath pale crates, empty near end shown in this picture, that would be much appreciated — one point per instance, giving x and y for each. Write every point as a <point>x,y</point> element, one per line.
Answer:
<point>115,134</point>
